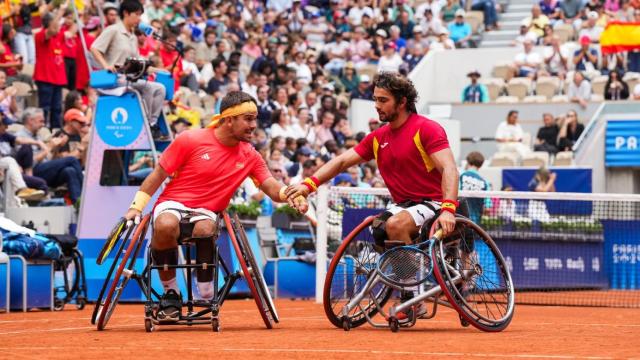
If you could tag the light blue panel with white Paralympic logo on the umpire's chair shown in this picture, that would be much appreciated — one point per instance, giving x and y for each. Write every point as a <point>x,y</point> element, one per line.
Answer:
<point>118,119</point>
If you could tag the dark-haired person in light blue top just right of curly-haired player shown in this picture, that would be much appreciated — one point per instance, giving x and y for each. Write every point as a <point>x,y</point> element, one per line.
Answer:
<point>471,180</point>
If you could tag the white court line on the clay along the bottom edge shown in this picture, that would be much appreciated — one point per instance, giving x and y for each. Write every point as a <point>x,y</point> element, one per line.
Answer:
<point>332,351</point>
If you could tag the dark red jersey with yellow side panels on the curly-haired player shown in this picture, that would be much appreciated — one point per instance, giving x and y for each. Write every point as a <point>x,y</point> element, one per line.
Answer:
<point>403,158</point>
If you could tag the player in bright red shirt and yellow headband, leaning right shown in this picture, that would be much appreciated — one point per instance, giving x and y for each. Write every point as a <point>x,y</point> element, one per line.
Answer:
<point>206,166</point>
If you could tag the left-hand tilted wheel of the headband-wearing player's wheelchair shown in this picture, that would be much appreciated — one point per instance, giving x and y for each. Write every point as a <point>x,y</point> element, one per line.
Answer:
<point>122,275</point>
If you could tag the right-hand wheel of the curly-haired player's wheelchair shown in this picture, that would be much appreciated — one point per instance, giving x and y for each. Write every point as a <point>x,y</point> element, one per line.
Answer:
<point>475,277</point>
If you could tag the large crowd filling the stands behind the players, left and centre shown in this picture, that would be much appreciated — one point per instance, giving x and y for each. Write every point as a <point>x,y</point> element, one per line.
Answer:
<point>304,61</point>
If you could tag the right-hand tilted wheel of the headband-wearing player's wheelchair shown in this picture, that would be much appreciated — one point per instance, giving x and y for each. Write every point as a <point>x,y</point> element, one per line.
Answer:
<point>246,258</point>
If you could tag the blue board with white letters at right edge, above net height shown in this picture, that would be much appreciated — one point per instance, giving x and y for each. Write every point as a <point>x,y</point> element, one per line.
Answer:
<point>621,146</point>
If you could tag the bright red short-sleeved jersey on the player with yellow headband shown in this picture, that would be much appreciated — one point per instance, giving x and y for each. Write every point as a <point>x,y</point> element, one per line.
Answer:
<point>205,172</point>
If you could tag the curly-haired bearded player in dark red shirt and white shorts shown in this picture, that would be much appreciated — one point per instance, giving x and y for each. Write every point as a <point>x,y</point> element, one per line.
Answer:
<point>414,160</point>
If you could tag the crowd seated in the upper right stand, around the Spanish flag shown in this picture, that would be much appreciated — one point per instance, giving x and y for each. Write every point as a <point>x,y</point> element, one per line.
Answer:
<point>568,33</point>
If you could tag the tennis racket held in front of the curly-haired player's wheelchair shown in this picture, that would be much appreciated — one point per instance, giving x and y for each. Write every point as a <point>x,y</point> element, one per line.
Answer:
<point>408,265</point>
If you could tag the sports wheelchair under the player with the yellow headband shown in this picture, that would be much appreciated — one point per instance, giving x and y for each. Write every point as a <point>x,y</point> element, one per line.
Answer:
<point>208,313</point>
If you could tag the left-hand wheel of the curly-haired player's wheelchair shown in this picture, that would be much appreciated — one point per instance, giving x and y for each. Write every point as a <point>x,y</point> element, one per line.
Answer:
<point>350,268</point>
